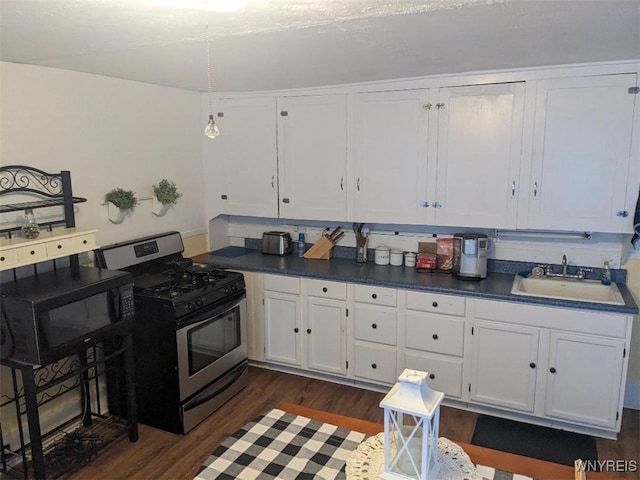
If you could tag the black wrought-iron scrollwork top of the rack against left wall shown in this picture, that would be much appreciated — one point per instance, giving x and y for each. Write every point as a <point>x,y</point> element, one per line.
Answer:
<point>52,189</point>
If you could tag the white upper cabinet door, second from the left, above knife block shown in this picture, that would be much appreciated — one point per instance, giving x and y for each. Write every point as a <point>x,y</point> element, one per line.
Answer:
<point>312,157</point>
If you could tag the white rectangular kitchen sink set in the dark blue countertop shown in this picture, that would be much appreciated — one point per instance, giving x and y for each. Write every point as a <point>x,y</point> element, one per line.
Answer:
<point>567,289</point>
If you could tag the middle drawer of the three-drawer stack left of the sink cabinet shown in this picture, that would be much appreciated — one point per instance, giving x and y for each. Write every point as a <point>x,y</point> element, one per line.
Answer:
<point>435,334</point>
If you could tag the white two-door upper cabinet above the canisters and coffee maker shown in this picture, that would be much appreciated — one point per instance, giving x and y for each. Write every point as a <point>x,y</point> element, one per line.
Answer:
<point>447,156</point>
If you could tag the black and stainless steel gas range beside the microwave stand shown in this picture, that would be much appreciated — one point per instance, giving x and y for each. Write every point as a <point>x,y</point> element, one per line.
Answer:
<point>190,331</point>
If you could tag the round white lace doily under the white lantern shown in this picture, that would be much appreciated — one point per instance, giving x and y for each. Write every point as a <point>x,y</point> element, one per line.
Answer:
<point>367,461</point>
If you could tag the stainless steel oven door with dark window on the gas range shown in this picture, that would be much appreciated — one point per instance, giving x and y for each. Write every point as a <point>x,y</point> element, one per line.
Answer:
<point>213,342</point>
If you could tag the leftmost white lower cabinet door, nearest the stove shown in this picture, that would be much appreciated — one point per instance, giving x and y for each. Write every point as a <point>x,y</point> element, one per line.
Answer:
<point>282,328</point>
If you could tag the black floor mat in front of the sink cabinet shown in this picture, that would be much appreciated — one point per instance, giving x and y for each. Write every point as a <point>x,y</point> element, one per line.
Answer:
<point>534,441</point>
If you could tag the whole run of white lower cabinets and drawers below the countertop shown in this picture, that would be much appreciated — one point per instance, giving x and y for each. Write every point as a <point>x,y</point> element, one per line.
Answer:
<point>550,365</point>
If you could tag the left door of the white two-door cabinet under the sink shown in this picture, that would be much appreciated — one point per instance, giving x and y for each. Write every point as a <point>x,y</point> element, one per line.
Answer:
<point>504,365</point>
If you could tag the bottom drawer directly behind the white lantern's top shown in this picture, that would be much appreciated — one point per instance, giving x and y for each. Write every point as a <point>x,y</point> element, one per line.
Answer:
<point>445,375</point>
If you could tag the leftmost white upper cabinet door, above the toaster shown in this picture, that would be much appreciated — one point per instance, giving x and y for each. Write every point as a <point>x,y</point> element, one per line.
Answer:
<point>244,156</point>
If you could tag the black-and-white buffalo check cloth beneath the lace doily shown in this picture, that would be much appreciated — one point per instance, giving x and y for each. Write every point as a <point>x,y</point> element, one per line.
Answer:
<point>286,446</point>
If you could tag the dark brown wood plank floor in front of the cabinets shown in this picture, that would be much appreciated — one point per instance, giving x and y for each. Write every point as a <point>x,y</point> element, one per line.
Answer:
<point>162,455</point>
